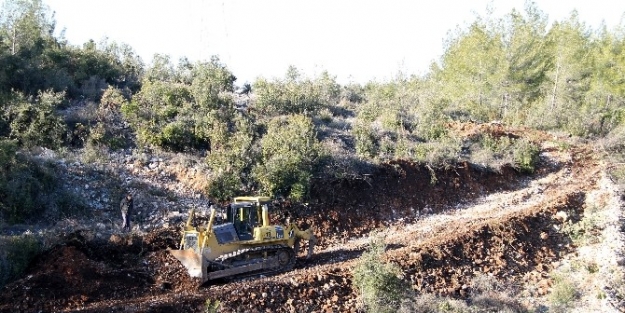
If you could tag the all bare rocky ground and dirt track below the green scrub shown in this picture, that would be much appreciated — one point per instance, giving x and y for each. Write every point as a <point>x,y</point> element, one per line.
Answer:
<point>499,240</point>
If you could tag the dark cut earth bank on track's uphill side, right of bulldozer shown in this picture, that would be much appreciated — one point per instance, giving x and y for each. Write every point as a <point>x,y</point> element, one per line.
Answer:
<point>400,191</point>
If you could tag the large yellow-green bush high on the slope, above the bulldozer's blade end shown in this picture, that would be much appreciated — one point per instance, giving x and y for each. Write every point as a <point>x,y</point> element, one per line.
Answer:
<point>181,115</point>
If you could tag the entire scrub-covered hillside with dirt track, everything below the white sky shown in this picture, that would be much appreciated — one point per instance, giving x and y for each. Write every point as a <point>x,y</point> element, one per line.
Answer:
<point>493,182</point>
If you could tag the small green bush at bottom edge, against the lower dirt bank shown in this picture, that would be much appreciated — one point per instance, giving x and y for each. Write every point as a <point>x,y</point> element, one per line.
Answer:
<point>378,282</point>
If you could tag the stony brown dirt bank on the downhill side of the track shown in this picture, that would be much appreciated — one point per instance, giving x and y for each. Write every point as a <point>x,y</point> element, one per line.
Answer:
<point>505,247</point>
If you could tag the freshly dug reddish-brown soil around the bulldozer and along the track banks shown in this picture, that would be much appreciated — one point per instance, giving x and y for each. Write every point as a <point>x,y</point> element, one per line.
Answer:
<point>132,274</point>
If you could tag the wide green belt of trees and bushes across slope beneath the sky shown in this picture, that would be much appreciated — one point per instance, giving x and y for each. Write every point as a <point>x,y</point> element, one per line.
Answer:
<point>517,70</point>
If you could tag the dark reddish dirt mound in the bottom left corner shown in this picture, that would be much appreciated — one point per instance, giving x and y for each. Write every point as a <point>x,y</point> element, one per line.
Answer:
<point>66,278</point>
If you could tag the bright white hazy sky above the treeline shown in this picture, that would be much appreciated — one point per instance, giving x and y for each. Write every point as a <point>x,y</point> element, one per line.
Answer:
<point>355,40</point>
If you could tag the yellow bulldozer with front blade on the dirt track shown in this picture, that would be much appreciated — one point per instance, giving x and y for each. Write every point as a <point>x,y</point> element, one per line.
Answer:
<point>239,240</point>
